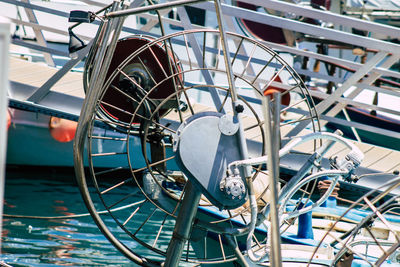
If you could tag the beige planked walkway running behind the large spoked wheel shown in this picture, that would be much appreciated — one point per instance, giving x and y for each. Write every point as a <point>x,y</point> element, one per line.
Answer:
<point>36,74</point>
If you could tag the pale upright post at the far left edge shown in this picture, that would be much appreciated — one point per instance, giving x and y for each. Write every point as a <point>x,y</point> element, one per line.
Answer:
<point>4,47</point>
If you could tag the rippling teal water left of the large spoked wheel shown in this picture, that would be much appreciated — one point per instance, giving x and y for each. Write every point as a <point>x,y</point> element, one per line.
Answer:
<point>50,242</point>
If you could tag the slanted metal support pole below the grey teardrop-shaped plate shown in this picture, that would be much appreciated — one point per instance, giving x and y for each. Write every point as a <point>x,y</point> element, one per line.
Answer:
<point>183,225</point>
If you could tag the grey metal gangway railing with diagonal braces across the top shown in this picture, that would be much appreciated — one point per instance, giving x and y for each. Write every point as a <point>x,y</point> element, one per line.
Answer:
<point>360,77</point>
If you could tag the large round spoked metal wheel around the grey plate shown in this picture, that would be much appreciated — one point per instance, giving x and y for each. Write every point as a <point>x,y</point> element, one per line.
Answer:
<point>163,118</point>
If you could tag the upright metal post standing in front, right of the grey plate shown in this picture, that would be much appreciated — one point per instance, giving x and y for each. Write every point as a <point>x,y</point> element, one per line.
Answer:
<point>273,143</point>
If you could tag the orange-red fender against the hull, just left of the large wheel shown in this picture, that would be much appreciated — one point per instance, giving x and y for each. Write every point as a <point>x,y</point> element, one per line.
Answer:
<point>62,130</point>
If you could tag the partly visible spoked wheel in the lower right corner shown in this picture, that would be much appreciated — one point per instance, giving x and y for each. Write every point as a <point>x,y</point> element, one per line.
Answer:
<point>366,233</point>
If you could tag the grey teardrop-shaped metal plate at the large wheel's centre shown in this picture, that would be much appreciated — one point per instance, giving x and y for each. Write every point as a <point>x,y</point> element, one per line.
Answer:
<point>205,152</point>
